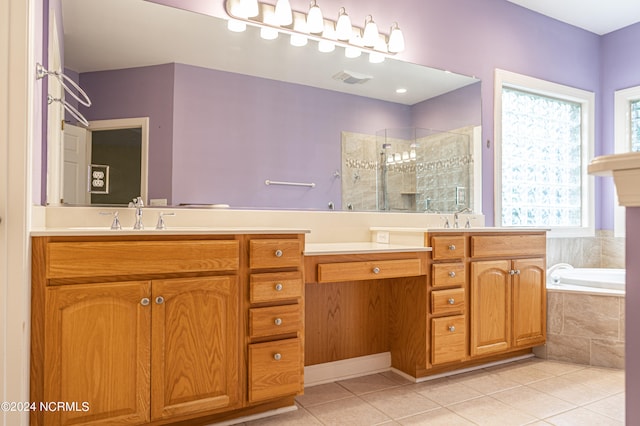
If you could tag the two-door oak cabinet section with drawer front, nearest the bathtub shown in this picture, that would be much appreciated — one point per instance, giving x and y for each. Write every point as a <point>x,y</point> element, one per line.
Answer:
<point>508,294</point>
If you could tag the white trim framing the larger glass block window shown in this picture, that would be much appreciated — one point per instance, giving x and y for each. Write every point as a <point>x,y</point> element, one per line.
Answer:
<point>587,100</point>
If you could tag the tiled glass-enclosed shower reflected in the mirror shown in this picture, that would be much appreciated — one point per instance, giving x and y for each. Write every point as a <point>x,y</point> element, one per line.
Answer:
<point>408,170</point>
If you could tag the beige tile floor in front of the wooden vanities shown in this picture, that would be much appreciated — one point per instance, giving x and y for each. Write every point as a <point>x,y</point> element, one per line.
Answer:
<point>529,392</point>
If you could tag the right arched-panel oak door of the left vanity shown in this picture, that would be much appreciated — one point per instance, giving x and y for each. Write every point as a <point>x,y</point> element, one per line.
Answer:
<point>195,346</point>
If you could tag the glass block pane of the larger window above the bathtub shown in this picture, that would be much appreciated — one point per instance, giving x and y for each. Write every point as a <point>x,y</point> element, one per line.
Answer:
<point>541,160</point>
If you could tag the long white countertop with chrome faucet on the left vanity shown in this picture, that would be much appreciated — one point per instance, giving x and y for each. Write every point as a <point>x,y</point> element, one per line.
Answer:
<point>105,231</point>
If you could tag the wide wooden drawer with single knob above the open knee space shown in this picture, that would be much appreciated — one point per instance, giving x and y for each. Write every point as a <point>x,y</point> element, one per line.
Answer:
<point>369,270</point>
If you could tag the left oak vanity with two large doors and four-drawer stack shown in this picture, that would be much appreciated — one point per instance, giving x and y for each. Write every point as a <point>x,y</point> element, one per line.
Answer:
<point>160,327</point>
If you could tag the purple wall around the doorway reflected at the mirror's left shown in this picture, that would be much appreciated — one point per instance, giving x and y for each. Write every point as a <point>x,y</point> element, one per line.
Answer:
<point>138,92</point>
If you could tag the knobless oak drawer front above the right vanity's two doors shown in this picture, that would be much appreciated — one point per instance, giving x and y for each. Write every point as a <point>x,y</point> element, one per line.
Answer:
<point>508,245</point>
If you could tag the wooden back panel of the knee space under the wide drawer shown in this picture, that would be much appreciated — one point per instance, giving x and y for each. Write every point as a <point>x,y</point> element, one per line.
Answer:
<point>345,320</point>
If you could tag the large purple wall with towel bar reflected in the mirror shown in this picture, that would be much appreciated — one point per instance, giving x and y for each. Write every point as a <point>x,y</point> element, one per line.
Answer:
<point>250,129</point>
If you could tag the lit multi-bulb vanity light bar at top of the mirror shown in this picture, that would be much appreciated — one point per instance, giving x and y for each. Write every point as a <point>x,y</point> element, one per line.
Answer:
<point>301,27</point>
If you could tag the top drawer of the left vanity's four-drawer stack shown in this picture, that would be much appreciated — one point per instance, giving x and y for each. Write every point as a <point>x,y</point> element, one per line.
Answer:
<point>278,253</point>
